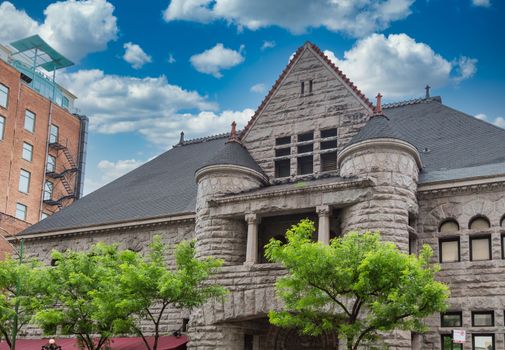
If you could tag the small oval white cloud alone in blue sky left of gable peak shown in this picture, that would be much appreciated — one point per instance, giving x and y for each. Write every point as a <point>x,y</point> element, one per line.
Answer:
<point>218,58</point>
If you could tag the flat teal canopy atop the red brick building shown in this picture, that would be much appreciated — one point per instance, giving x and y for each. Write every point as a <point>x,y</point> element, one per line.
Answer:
<point>37,52</point>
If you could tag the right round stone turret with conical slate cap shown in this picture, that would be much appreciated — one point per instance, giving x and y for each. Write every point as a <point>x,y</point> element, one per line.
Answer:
<point>379,152</point>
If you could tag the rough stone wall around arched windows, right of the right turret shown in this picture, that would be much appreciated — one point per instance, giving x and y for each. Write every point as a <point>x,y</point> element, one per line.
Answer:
<point>474,285</point>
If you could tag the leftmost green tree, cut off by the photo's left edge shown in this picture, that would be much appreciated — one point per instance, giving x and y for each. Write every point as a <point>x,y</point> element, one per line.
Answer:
<point>21,295</point>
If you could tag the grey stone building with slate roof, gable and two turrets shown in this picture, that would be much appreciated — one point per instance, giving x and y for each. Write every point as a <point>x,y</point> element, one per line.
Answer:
<point>418,171</point>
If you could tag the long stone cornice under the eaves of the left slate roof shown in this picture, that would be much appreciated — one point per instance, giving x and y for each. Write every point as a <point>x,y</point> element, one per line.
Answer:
<point>153,222</point>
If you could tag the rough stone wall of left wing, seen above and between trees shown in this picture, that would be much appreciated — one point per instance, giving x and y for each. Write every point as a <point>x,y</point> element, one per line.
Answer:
<point>136,239</point>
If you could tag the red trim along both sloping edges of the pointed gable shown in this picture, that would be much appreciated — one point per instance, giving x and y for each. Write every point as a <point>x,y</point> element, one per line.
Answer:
<point>281,77</point>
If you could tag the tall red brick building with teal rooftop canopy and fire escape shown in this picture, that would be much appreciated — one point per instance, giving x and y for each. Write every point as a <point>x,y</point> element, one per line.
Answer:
<point>42,143</point>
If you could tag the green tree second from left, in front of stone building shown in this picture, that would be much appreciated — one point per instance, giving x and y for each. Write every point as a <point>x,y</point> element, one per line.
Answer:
<point>85,287</point>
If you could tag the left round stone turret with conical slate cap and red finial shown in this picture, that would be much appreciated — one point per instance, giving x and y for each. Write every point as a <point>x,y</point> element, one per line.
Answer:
<point>233,170</point>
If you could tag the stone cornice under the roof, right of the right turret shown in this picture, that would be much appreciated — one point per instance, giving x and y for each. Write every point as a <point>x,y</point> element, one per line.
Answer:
<point>461,187</point>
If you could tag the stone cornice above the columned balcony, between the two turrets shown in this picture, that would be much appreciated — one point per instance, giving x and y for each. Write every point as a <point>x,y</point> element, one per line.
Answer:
<point>359,183</point>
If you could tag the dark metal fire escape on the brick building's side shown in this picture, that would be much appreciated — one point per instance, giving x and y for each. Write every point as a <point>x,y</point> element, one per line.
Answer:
<point>67,176</point>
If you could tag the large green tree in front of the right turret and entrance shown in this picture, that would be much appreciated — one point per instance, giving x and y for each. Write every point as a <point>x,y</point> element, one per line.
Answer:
<point>356,287</point>
